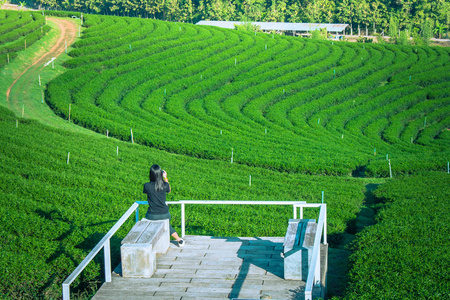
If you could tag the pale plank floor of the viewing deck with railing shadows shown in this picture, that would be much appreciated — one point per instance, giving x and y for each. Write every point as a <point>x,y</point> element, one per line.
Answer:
<point>212,268</point>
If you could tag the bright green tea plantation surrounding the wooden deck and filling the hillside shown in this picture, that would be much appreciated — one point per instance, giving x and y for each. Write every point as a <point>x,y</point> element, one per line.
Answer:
<point>300,116</point>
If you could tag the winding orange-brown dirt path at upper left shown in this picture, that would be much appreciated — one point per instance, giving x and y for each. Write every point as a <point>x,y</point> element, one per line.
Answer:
<point>68,33</point>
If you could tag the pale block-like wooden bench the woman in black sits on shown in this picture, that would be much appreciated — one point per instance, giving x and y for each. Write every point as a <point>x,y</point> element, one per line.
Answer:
<point>140,246</point>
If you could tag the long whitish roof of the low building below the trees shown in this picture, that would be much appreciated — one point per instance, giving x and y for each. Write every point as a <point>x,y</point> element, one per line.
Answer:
<point>279,25</point>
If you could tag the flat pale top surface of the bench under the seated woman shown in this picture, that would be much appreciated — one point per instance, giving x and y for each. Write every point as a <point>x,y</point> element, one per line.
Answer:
<point>145,232</point>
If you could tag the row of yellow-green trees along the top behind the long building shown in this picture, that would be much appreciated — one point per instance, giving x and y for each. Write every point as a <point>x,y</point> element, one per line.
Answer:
<point>364,16</point>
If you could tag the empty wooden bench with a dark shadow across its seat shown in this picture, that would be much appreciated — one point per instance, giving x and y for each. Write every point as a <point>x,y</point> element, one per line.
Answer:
<point>297,248</point>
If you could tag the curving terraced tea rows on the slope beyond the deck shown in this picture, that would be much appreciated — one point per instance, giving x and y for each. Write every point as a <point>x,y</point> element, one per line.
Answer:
<point>284,103</point>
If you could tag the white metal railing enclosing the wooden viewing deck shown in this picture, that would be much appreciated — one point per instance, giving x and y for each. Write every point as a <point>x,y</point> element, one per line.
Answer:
<point>105,244</point>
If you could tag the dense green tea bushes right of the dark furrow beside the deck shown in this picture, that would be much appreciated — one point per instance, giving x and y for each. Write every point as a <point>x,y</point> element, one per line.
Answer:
<point>404,255</point>
